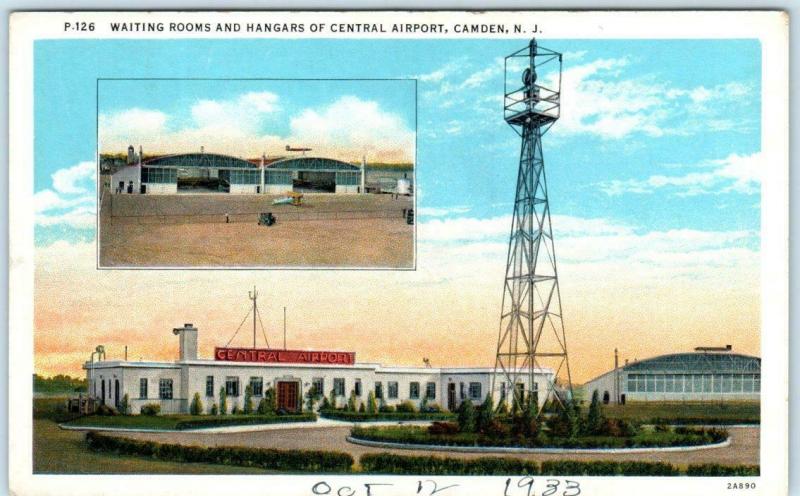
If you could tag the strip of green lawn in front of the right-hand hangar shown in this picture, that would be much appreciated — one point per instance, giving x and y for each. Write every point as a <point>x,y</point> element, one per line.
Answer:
<point>738,412</point>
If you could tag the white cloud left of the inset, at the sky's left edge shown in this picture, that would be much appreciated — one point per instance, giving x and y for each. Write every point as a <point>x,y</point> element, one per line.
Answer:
<point>71,198</point>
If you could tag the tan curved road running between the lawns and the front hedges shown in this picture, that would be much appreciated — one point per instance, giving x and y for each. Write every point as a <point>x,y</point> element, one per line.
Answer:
<point>744,447</point>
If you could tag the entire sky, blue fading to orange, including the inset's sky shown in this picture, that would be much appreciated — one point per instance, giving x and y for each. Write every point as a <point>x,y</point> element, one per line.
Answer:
<point>653,177</point>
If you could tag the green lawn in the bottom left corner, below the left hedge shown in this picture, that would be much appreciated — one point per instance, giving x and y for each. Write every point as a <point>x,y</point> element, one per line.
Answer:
<point>56,451</point>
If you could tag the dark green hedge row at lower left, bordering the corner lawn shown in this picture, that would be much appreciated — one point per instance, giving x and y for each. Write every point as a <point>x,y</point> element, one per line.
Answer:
<point>272,459</point>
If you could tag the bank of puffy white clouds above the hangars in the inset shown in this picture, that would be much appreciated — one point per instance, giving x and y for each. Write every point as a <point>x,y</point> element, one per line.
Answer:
<point>346,129</point>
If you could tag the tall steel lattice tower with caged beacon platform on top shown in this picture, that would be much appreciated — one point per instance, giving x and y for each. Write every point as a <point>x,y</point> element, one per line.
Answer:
<point>531,331</point>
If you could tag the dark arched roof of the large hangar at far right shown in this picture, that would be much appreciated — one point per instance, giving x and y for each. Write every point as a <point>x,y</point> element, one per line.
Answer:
<point>698,362</point>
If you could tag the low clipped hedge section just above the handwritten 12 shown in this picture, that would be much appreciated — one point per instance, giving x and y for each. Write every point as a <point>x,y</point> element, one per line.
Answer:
<point>386,463</point>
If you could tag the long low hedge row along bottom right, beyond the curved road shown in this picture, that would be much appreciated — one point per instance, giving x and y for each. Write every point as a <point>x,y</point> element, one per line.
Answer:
<point>387,463</point>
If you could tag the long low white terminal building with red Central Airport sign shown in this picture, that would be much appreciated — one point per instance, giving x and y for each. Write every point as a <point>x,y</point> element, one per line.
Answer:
<point>292,373</point>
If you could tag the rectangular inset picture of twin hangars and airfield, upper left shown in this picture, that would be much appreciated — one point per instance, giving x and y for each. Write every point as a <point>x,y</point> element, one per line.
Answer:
<point>256,173</point>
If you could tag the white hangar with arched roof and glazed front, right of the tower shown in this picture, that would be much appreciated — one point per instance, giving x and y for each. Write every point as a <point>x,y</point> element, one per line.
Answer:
<point>707,374</point>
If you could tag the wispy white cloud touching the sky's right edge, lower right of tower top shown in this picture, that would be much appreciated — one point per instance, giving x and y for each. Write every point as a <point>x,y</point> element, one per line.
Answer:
<point>735,173</point>
